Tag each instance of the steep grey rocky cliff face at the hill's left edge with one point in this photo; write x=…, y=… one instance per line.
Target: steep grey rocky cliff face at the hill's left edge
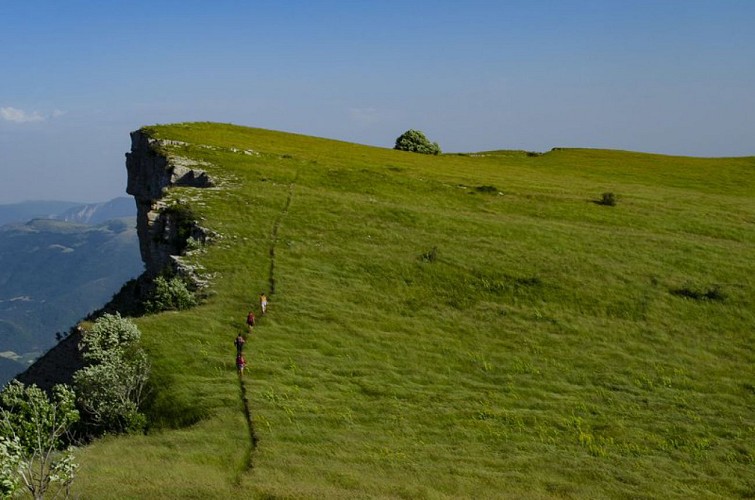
x=163, y=228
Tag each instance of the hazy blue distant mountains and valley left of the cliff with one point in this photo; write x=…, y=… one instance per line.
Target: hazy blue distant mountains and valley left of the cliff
x=58, y=262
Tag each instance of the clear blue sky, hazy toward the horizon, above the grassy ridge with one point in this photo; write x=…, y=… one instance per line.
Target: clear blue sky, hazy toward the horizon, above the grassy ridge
x=666, y=76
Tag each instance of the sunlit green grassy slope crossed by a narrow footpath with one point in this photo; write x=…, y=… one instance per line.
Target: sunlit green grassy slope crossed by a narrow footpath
x=539, y=355
